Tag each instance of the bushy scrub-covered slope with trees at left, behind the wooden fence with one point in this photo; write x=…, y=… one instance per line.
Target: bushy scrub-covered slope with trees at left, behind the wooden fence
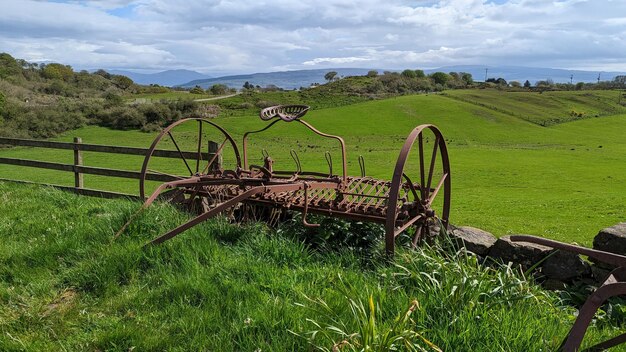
x=43, y=100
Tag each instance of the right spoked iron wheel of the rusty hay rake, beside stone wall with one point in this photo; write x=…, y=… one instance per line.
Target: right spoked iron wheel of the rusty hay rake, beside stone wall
x=419, y=194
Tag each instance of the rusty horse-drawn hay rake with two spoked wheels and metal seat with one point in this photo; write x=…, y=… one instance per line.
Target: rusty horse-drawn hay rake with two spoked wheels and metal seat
x=202, y=184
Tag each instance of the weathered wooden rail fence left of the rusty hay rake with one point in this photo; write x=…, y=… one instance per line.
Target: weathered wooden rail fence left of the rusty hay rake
x=79, y=169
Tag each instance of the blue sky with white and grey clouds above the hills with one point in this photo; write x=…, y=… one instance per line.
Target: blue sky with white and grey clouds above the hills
x=224, y=37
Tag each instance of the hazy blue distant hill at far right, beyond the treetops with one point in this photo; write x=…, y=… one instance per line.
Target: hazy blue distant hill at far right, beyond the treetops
x=532, y=74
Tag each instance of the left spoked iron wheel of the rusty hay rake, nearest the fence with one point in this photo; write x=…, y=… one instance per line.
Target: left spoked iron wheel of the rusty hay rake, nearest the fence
x=188, y=148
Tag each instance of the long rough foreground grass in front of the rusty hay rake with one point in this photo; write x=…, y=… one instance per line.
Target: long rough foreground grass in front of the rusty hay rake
x=65, y=284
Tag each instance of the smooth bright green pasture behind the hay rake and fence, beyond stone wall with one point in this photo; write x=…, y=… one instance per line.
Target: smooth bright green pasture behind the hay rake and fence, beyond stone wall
x=509, y=175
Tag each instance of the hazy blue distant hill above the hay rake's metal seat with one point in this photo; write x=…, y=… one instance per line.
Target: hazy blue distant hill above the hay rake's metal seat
x=285, y=79
